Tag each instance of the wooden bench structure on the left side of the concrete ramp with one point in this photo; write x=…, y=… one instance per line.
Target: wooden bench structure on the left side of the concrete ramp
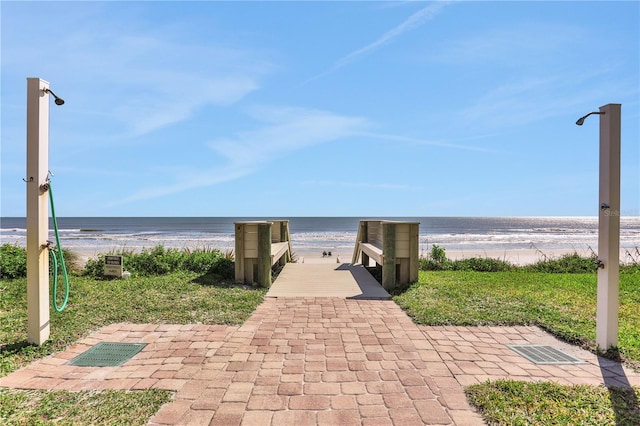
x=259, y=246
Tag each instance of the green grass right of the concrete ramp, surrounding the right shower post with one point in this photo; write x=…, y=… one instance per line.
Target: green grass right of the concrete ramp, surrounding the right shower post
x=563, y=304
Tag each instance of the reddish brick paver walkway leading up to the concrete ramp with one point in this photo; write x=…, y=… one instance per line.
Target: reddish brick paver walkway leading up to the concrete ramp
x=316, y=361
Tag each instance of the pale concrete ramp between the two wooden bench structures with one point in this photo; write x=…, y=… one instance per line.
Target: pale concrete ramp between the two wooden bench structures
x=326, y=280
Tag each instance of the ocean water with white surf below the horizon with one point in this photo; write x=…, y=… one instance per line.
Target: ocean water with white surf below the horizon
x=93, y=235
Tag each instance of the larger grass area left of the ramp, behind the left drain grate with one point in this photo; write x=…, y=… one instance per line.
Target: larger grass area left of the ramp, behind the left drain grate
x=175, y=298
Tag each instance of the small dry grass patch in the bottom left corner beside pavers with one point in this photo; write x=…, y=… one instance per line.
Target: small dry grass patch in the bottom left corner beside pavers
x=20, y=407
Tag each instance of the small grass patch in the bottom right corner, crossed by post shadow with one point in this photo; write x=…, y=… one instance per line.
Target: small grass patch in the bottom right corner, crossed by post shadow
x=506, y=402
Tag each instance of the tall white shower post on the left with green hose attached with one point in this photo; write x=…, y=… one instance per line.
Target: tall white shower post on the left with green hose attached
x=37, y=210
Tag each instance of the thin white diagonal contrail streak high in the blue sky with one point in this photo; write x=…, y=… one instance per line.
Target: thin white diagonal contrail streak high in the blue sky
x=414, y=21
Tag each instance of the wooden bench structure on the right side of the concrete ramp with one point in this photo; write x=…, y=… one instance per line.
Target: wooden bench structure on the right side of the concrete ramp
x=392, y=245
